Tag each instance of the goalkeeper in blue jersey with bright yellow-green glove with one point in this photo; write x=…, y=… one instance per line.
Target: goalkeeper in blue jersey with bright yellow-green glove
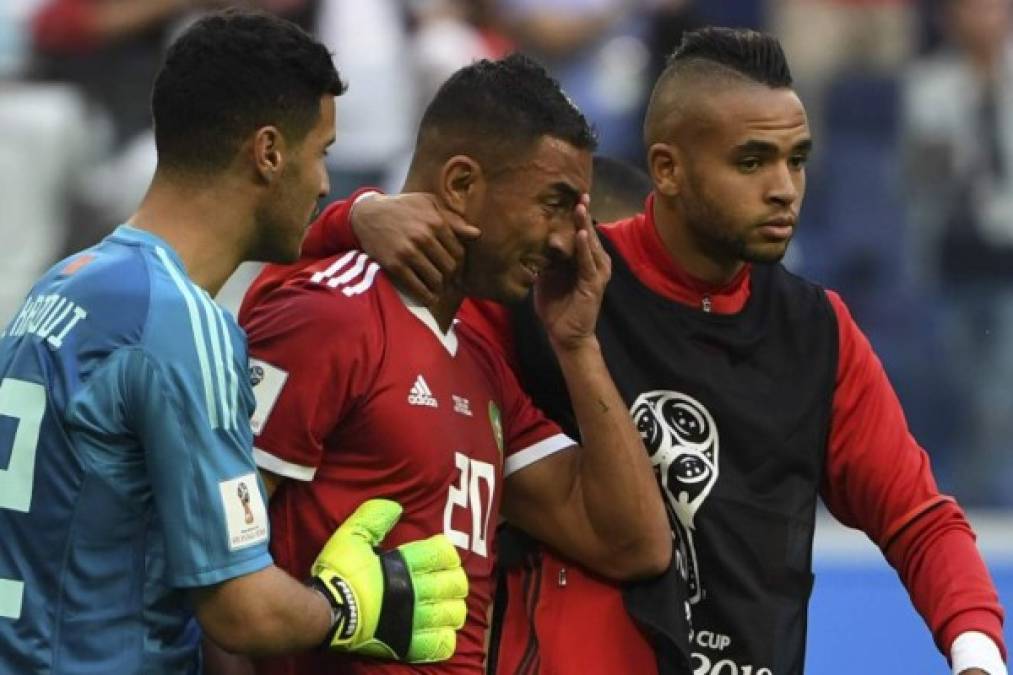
x=130, y=504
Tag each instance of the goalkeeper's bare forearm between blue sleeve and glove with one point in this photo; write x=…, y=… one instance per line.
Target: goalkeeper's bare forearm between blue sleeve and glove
x=264, y=613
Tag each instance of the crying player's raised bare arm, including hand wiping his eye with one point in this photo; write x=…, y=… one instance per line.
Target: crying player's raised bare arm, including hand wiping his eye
x=598, y=504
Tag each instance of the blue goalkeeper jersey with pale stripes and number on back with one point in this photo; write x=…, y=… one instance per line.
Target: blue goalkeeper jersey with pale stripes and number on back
x=126, y=468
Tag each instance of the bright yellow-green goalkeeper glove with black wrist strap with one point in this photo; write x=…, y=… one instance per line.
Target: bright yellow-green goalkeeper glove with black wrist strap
x=404, y=605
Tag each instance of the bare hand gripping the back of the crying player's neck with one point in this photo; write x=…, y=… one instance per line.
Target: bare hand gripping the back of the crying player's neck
x=414, y=239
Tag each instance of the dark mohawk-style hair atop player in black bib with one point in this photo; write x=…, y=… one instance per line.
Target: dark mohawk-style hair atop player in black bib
x=756, y=56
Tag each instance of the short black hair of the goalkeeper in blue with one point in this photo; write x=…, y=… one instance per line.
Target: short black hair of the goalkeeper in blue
x=231, y=73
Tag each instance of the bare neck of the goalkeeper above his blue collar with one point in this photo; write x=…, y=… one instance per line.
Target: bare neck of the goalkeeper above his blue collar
x=206, y=226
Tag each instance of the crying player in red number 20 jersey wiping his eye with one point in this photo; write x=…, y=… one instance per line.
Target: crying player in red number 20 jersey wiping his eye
x=364, y=393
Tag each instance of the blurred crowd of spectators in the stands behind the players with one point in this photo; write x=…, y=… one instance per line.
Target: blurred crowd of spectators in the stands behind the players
x=909, y=212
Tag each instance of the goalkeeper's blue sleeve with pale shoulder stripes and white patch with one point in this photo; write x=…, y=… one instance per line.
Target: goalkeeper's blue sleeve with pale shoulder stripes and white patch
x=191, y=403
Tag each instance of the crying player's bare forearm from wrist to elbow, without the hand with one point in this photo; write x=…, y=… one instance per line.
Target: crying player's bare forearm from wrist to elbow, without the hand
x=614, y=477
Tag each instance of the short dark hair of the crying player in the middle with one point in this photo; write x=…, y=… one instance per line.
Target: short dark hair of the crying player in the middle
x=509, y=104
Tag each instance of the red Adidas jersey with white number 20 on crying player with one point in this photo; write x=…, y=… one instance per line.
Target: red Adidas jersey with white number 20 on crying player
x=360, y=395
